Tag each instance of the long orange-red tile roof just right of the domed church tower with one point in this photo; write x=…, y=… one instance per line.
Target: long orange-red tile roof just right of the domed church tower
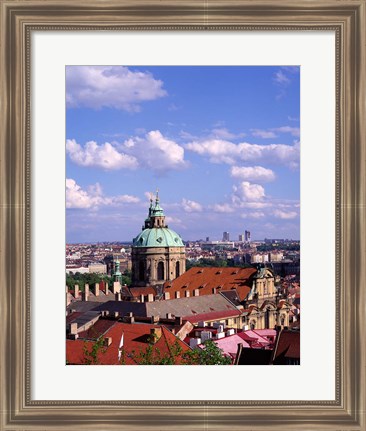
x=208, y=278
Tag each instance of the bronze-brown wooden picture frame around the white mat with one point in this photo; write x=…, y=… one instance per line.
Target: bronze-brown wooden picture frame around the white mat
x=18, y=19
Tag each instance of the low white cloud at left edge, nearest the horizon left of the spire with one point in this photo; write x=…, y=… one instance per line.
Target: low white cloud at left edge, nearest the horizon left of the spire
x=76, y=197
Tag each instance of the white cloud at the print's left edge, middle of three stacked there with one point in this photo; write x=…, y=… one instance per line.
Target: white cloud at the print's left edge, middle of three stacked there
x=104, y=156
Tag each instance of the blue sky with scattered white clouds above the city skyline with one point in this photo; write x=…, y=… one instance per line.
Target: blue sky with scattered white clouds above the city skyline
x=222, y=145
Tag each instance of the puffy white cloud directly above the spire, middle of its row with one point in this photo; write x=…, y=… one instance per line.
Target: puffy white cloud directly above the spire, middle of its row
x=156, y=152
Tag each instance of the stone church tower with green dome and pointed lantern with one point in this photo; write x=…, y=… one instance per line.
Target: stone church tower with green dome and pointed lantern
x=158, y=253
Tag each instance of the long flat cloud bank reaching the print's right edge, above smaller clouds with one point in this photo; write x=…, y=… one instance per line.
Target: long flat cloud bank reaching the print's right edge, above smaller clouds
x=222, y=151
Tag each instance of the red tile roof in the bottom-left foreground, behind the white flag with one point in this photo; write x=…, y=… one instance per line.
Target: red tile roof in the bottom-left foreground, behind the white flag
x=135, y=339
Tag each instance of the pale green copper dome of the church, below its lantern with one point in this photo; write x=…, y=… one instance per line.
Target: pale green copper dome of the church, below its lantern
x=158, y=237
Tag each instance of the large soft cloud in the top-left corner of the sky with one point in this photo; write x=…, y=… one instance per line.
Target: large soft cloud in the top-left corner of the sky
x=110, y=86
